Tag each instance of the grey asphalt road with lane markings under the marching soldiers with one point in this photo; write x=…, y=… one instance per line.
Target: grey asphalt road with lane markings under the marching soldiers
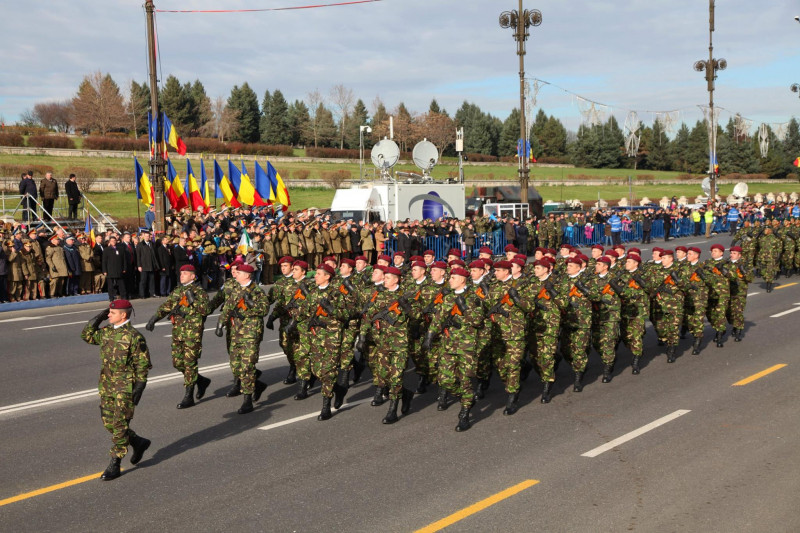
x=731, y=463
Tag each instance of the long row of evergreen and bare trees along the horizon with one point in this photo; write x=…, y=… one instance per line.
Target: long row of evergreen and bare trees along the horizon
x=334, y=119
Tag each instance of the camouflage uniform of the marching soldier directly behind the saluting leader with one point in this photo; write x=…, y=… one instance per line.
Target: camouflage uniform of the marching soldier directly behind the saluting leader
x=188, y=320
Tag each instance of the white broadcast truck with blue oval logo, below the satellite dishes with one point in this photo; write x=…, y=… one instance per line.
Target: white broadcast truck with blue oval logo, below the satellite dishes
x=399, y=201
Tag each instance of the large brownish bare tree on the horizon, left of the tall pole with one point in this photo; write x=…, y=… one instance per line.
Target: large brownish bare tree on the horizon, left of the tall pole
x=99, y=104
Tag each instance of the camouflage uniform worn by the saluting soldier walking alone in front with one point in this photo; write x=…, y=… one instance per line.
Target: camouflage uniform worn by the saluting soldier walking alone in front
x=126, y=362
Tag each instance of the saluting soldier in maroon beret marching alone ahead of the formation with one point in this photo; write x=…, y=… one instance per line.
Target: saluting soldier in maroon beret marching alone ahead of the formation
x=123, y=377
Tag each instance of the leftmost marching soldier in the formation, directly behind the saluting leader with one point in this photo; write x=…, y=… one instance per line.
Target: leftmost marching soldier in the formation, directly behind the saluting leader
x=187, y=308
